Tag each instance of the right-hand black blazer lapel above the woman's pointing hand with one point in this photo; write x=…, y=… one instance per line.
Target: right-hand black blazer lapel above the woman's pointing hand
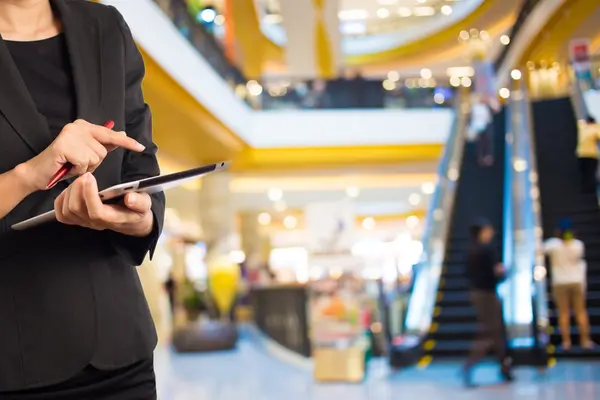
x=84, y=46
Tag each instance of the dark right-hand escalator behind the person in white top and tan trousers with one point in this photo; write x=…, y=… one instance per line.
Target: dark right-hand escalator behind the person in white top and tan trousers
x=555, y=143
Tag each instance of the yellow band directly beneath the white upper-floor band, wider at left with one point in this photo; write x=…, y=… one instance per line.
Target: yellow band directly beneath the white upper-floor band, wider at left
x=189, y=133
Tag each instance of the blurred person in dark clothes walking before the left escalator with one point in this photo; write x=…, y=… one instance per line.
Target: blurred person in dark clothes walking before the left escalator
x=484, y=272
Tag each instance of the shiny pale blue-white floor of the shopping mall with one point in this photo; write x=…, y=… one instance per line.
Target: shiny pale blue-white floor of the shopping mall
x=248, y=373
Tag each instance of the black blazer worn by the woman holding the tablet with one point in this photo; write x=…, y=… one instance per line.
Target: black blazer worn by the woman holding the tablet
x=71, y=297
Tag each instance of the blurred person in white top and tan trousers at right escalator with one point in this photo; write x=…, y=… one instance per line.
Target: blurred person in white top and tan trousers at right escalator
x=568, y=269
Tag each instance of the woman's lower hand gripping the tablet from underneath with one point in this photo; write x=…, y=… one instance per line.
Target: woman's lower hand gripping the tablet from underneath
x=80, y=205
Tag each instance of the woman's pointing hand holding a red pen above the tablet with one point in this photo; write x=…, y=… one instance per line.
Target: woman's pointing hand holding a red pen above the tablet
x=80, y=143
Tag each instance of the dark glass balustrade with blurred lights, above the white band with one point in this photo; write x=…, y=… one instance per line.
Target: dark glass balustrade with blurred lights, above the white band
x=288, y=93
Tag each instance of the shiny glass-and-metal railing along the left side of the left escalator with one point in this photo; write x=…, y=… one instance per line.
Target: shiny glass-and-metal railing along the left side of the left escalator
x=427, y=274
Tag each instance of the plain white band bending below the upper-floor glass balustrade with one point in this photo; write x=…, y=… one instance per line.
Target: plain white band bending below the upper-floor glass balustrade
x=160, y=39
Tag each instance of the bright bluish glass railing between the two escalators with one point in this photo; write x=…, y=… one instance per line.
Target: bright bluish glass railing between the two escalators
x=526, y=306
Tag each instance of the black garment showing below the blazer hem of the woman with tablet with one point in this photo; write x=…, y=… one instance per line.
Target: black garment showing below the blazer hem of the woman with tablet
x=136, y=382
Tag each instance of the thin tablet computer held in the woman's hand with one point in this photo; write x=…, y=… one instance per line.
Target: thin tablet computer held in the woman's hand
x=152, y=185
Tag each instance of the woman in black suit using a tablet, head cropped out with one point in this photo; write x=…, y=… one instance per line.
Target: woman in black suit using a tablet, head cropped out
x=73, y=317
